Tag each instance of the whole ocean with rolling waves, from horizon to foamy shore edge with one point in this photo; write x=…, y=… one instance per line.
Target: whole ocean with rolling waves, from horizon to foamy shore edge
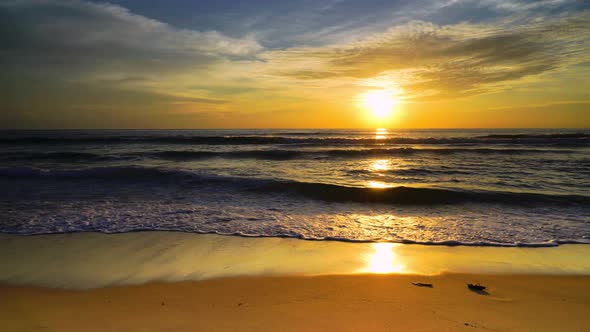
x=517, y=187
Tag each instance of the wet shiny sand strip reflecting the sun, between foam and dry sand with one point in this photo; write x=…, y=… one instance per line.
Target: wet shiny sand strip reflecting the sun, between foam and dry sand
x=93, y=260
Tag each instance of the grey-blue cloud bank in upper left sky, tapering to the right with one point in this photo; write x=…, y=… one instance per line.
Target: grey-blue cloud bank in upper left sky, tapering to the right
x=74, y=40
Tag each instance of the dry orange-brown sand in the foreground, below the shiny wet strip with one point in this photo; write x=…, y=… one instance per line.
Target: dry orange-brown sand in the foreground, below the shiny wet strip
x=321, y=303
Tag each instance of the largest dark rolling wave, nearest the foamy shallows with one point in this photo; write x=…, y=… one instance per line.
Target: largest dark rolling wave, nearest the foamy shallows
x=318, y=191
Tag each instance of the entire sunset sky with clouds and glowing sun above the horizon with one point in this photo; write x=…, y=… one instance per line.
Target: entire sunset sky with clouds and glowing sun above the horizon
x=294, y=64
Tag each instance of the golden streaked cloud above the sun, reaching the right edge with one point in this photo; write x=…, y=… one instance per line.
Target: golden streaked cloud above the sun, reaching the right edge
x=429, y=61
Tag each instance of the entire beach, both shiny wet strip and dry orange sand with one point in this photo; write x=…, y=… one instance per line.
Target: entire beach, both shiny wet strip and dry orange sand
x=297, y=286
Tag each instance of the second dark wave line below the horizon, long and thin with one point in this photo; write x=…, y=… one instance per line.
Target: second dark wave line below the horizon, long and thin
x=274, y=154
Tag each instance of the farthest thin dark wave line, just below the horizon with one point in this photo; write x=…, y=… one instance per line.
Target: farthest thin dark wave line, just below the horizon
x=580, y=139
